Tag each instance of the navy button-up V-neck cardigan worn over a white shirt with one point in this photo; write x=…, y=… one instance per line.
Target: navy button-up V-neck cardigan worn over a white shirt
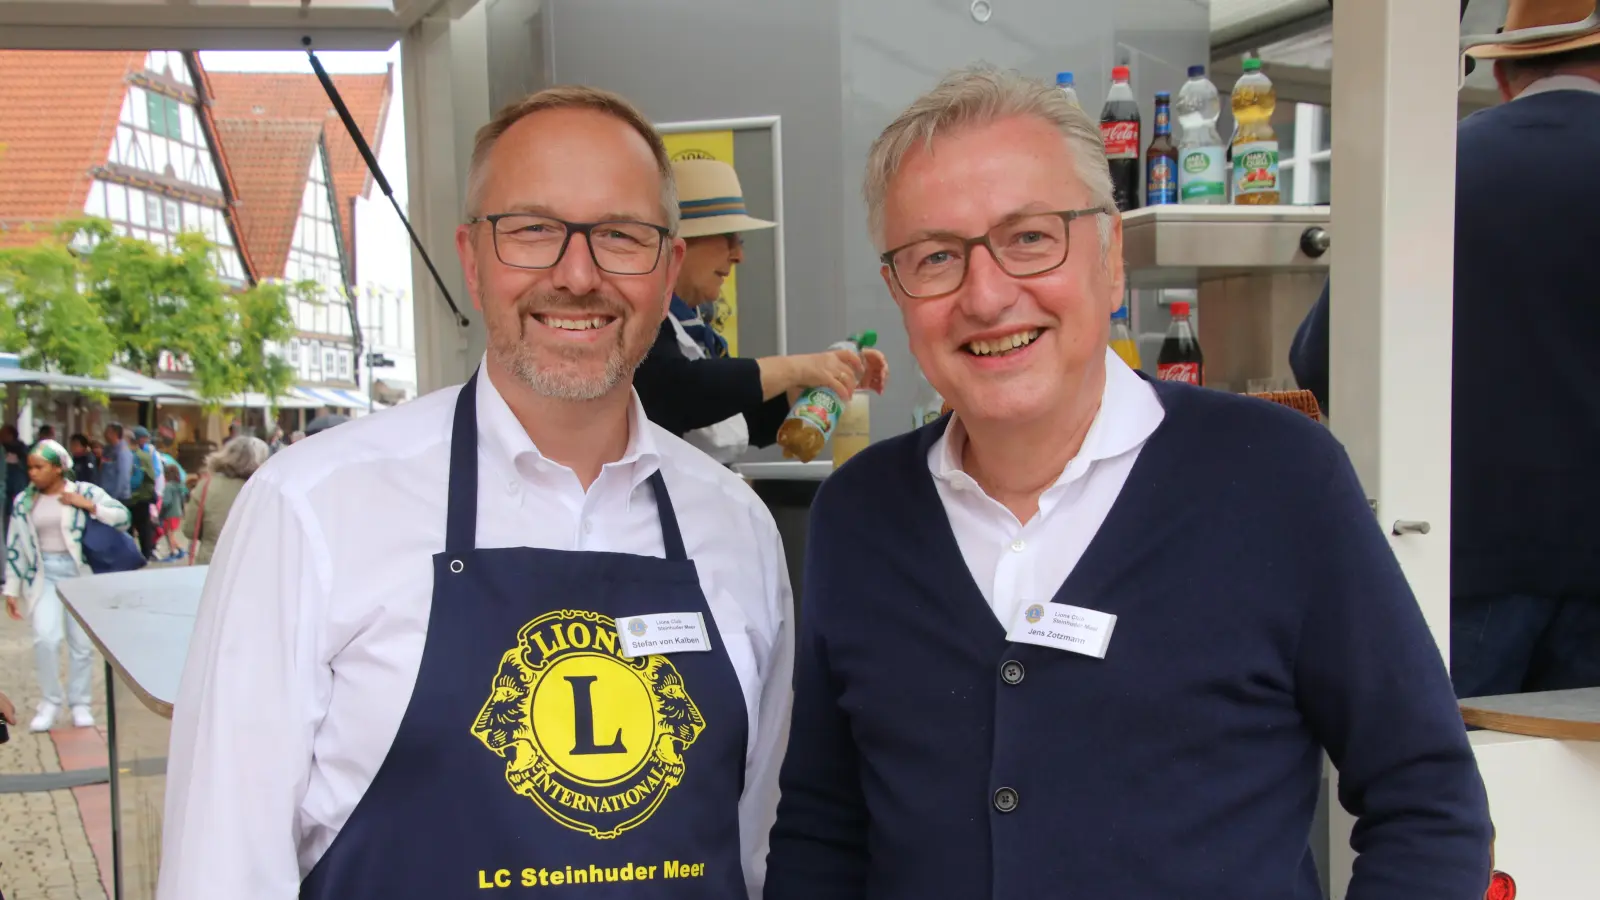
x=1262, y=621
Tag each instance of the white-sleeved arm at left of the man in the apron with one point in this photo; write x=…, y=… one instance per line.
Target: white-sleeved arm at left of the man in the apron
x=252, y=694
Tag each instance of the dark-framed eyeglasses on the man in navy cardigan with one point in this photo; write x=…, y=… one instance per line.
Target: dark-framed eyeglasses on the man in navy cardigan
x=1023, y=247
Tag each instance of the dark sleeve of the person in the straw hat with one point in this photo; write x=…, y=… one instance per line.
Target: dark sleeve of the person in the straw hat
x=682, y=395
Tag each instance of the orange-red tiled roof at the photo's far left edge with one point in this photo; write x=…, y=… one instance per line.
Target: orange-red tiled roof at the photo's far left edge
x=58, y=118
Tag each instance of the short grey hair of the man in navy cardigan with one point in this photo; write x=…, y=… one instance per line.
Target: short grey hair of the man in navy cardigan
x=980, y=95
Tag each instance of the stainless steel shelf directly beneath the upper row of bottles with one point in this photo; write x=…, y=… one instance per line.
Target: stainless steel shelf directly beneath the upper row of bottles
x=1183, y=246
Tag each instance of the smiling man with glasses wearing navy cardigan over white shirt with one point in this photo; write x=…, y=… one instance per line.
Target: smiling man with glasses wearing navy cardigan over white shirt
x=1090, y=635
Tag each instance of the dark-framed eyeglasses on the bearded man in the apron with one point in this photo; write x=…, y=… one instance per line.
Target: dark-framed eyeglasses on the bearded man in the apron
x=623, y=247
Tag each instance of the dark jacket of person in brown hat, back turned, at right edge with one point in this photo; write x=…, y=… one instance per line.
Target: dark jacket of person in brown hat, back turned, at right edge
x=1526, y=417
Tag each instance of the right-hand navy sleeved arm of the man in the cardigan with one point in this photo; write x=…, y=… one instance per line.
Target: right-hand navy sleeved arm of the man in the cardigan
x=1374, y=689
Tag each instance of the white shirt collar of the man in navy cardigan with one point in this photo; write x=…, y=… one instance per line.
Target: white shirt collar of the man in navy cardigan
x=1127, y=417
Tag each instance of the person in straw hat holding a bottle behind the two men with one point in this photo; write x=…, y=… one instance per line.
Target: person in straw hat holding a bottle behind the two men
x=689, y=384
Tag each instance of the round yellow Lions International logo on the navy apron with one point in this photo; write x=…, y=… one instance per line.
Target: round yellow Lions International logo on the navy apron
x=590, y=736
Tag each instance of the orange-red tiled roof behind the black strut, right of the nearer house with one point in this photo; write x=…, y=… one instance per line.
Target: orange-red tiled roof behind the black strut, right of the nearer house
x=289, y=97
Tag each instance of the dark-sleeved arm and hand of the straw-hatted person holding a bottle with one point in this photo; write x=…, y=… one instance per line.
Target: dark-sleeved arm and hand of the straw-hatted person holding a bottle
x=682, y=395
